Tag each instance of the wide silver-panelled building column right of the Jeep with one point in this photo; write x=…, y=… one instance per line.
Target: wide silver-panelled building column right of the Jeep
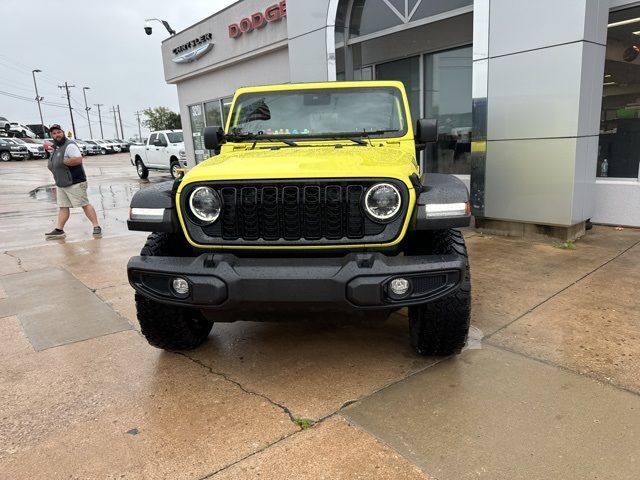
x=538, y=72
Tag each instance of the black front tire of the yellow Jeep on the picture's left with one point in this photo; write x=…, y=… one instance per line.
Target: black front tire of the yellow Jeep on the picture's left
x=166, y=326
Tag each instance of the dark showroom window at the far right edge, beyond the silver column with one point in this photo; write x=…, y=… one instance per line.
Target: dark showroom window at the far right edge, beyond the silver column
x=619, y=149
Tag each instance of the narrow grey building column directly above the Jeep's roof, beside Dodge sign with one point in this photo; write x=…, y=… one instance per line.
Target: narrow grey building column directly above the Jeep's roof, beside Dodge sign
x=311, y=32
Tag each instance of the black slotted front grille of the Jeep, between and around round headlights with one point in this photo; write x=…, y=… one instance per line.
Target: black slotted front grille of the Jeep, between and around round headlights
x=296, y=212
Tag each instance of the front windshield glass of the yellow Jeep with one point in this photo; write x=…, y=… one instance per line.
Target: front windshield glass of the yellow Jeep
x=326, y=112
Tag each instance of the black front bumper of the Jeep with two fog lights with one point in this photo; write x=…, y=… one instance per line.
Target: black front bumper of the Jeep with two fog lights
x=356, y=281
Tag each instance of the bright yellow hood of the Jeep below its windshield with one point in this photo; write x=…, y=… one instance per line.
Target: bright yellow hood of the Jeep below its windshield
x=307, y=162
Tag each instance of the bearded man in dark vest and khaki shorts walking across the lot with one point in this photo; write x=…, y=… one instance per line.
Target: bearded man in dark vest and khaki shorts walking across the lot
x=65, y=163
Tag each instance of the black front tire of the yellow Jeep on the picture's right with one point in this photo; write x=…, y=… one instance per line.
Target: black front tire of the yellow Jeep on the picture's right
x=441, y=327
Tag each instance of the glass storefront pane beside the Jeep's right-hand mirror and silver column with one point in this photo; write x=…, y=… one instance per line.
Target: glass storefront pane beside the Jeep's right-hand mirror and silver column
x=447, y=97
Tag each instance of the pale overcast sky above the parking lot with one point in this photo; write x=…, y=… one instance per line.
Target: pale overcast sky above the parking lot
x=89, y=43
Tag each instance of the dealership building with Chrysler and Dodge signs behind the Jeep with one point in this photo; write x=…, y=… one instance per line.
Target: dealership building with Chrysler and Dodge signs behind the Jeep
x=538, y=103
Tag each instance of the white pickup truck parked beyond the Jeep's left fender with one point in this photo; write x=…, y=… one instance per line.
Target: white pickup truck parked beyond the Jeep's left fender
x=163, y=151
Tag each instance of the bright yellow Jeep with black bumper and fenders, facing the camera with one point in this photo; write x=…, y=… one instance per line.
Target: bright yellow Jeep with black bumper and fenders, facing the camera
x=314, y=203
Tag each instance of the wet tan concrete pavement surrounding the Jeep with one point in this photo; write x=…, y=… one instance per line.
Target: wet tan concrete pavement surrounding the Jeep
x=549, y=388
